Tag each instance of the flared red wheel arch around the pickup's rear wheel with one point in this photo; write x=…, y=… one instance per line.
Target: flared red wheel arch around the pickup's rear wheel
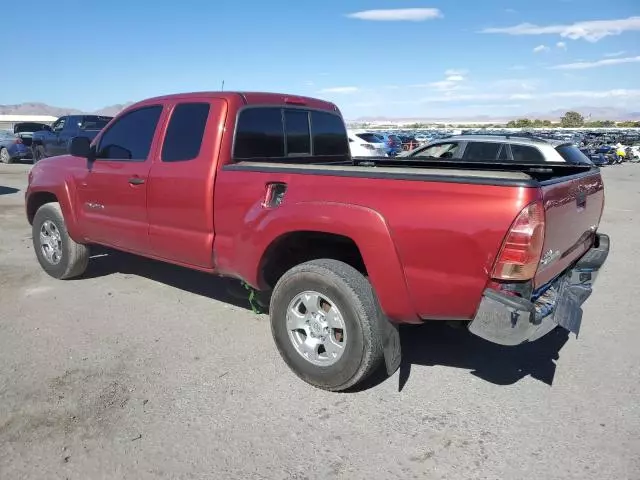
x=357, y=235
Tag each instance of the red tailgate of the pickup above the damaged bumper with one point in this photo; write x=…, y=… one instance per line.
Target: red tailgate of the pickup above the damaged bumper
x=573, y=207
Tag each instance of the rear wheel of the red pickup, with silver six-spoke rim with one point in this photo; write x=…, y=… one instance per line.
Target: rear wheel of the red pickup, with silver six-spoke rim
x=346, y=289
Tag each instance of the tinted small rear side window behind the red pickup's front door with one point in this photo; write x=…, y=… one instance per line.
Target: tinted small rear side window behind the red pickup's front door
x=183, y=139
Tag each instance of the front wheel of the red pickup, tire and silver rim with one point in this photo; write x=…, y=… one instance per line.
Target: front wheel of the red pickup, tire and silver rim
x=72, y=258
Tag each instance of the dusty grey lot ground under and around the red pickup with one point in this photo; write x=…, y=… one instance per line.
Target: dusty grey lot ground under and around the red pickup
x=143, y=370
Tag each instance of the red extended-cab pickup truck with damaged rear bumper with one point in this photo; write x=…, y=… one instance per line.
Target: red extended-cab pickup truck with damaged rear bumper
x=261, y=187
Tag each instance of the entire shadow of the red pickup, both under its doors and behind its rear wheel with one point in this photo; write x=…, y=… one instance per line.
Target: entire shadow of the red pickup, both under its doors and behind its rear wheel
x=431, y=344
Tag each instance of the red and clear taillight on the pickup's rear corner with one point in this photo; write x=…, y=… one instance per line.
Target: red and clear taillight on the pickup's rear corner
x=522, y=247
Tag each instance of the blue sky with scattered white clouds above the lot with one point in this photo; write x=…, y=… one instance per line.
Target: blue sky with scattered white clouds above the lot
x=387, y=58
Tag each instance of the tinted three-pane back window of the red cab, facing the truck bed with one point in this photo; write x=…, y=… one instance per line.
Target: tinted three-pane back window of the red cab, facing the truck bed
x=295, y=135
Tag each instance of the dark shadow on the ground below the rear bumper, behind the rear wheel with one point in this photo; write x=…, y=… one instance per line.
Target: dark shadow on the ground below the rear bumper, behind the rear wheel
x=436, y=343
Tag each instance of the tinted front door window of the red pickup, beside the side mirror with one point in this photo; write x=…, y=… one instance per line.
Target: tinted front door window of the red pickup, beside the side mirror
x=129, y=138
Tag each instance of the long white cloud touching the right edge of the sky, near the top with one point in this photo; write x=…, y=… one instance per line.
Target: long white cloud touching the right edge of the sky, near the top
x=592, y=31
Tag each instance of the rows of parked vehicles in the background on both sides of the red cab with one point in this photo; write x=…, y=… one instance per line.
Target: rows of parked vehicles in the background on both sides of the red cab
x=32, y=140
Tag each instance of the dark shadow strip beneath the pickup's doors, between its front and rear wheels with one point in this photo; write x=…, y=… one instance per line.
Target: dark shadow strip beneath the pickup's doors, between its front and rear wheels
x=106, y=262
